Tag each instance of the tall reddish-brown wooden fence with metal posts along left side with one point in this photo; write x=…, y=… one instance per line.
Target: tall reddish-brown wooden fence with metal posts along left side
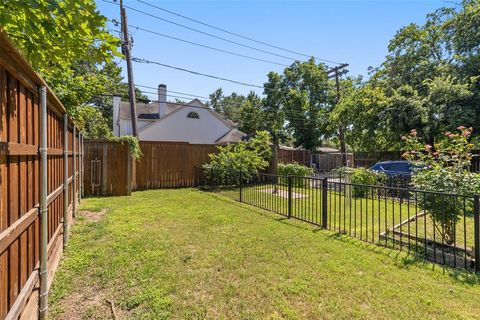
x=40, y=179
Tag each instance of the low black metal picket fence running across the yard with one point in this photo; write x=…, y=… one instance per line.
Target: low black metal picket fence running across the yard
x=438, y=227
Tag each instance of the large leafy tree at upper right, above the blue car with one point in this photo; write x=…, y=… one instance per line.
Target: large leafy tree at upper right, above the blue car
x=428, y=82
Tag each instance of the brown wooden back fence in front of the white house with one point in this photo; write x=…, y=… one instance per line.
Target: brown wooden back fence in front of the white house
x=109, y=169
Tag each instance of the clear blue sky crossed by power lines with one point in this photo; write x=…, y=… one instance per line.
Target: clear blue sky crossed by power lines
x=356, y=32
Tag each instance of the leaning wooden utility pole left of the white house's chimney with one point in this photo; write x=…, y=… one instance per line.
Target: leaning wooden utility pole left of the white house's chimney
x=126, y=48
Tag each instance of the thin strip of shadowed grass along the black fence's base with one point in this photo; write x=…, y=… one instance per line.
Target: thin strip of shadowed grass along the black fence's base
x=404, y=259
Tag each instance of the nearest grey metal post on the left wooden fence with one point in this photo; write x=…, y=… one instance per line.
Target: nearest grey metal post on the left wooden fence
x=43, y=299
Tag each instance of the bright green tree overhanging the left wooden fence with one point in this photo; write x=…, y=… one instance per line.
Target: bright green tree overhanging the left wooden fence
x=66, y=41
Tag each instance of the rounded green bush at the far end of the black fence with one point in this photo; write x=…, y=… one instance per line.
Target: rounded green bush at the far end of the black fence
x=247, y=157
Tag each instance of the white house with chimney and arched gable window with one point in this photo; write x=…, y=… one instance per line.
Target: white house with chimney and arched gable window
x=167, y=121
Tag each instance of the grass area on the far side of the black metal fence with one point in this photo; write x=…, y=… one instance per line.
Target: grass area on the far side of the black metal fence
x=364, y=218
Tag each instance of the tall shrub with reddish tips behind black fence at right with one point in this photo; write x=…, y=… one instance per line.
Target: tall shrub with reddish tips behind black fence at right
x=444, y=167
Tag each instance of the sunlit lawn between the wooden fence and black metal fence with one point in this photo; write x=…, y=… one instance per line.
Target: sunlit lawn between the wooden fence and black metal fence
x=187, y=254
